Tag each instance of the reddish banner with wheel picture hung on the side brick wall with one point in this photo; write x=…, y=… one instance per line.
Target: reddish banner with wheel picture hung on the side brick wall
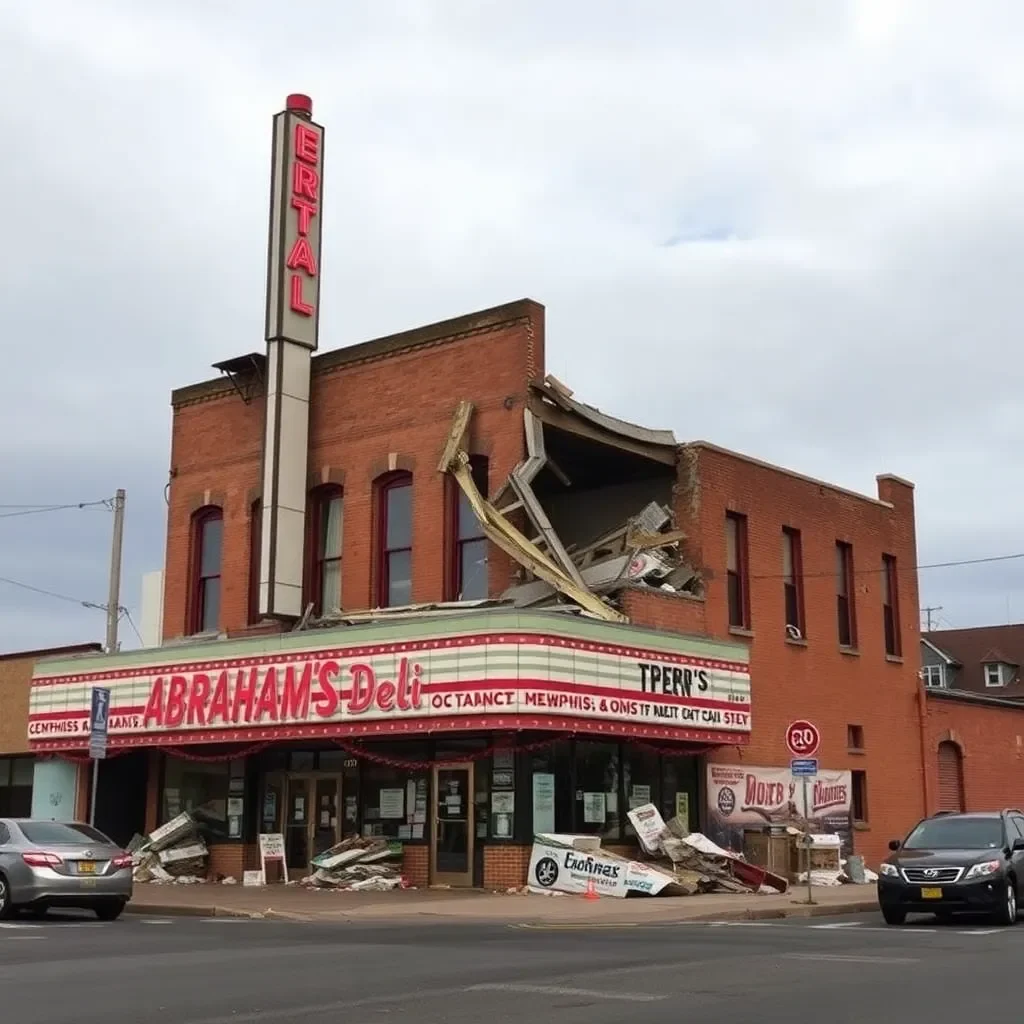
x=742, y=797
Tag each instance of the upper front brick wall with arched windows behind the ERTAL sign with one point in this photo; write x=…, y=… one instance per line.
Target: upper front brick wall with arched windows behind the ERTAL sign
x=387, y=404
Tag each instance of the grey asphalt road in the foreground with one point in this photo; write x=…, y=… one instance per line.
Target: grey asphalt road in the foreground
x=188, y=971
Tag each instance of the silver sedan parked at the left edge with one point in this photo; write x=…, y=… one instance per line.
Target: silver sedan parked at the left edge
x=48, y=865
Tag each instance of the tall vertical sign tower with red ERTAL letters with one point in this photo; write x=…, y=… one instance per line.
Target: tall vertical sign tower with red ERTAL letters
x=293, y=293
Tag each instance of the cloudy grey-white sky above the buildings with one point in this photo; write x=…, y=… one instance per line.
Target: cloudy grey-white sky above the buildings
x=809, y=217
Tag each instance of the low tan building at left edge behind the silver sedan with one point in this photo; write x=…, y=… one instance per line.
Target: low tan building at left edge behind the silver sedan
x=41, y=787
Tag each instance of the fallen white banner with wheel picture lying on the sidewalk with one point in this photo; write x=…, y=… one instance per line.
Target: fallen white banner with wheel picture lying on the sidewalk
x=557, y=867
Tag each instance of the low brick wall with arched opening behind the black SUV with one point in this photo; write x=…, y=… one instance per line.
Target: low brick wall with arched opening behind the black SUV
x=992, y=742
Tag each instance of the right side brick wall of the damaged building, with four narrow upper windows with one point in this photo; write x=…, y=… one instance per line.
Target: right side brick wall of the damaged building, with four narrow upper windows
x=814, y=678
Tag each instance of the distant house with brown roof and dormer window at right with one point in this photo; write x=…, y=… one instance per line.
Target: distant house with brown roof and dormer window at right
x=985, y=660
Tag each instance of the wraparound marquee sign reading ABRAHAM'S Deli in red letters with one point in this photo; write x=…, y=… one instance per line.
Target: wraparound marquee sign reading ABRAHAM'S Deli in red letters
x=452, y=678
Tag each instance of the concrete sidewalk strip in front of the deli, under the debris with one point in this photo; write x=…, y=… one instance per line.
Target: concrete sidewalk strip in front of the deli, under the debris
x=295, y=904
